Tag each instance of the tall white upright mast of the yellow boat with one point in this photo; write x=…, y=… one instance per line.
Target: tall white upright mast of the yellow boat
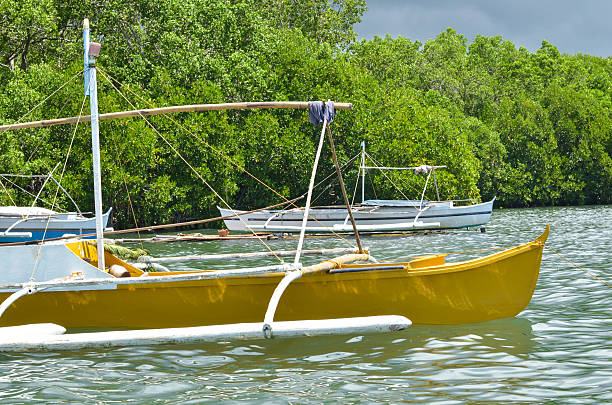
x=90, y=52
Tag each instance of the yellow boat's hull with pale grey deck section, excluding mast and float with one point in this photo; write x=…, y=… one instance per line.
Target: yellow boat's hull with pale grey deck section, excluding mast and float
x=426, y=290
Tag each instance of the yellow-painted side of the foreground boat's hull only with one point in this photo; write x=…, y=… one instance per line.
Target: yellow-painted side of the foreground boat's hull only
x=426, y=291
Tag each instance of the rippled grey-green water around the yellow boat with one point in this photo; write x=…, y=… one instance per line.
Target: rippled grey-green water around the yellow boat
x=559, y=350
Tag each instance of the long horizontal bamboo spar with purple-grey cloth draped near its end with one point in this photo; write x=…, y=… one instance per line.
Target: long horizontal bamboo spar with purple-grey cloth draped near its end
x=303, y=105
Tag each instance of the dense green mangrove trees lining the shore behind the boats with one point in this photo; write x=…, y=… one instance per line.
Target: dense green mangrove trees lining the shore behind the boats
x=532, y=128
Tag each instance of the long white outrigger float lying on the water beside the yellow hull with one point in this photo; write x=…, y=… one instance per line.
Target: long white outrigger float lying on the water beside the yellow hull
x=241, y=331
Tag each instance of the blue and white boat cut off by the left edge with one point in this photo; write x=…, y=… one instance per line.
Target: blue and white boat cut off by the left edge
x=33, y=223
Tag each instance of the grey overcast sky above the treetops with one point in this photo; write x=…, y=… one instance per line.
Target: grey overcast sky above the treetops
x=573, y=26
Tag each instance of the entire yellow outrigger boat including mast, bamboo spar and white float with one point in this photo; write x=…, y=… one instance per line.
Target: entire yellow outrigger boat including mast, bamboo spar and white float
x=48, y=287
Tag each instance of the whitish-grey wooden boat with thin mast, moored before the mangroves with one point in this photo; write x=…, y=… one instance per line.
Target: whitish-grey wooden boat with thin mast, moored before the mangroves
x=370, y=215
